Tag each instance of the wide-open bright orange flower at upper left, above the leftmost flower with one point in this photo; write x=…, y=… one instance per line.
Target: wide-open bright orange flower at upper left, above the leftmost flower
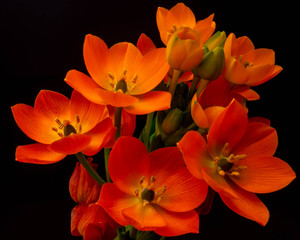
x=122, y=76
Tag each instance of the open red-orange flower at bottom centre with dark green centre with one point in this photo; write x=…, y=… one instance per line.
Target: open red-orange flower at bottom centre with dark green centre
x=151, y=191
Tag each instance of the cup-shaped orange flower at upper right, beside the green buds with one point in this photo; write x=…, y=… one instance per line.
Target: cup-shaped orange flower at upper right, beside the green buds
x=247, y=65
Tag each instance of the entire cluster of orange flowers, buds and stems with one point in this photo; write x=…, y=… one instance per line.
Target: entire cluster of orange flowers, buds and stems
x=197, y=139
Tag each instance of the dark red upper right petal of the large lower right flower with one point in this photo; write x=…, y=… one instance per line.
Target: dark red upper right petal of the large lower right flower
x=259, y=139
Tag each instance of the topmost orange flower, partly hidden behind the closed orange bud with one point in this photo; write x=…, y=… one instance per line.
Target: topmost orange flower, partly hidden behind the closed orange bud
x=168, y=21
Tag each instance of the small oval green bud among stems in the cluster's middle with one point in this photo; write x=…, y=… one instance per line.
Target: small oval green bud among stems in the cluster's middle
x=172, y=121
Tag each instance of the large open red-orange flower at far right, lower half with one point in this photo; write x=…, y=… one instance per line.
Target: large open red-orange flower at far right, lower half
x=237, y=161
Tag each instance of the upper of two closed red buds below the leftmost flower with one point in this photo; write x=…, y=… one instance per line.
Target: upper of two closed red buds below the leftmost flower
x=83, y=188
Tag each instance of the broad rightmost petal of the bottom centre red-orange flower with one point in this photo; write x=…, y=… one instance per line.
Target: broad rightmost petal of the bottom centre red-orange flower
x=183, y=192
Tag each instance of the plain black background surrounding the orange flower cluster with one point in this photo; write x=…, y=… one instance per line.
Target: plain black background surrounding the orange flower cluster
x=42, y=40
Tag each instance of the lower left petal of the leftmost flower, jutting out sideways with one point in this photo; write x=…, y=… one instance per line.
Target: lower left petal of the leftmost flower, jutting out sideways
x=37, y=153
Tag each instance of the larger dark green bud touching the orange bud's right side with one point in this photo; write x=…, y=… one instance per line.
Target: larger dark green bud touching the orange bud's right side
x=212, y=64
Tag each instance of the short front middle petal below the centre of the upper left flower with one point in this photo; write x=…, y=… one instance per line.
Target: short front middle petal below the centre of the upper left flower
x=116, y=99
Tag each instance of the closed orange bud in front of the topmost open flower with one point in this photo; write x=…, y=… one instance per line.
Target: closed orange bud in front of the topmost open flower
x=184, y=49
